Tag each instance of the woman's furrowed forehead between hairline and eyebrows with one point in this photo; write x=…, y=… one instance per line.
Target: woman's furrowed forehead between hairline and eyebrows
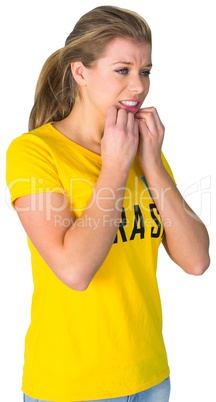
x=127, y=49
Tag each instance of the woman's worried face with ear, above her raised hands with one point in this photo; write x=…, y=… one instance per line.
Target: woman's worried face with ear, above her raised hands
x=119, y=78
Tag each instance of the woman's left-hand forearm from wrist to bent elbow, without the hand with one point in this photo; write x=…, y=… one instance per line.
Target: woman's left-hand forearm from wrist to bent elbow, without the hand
x=88, y=240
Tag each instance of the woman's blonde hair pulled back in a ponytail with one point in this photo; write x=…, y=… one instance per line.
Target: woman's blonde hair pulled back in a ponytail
x=56, y=90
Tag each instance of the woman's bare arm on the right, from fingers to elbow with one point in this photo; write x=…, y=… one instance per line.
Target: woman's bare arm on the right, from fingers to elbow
x=186, y=239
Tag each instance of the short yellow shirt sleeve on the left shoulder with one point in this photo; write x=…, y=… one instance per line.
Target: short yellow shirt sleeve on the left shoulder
x=30, y=167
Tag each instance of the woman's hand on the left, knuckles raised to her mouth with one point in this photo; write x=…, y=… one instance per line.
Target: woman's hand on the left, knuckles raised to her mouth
x=120, y=140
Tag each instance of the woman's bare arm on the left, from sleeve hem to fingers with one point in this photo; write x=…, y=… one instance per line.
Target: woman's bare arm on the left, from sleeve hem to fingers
x=81, y=247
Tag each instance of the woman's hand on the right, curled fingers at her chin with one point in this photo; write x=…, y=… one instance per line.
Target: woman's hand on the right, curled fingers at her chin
x=151, y=134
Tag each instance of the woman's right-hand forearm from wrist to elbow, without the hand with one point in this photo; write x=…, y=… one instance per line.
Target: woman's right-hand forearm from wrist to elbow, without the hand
x=186, y=239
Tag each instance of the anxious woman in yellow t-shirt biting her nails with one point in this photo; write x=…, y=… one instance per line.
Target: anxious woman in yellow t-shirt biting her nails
x=96, y=198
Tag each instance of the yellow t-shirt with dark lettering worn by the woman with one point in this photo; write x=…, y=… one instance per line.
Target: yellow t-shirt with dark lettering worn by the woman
x=106, y=341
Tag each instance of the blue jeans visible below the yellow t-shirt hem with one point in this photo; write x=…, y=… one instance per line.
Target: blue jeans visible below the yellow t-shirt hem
x=159, y=393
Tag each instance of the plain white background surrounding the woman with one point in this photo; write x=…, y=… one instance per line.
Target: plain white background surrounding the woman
x=183, y=90
